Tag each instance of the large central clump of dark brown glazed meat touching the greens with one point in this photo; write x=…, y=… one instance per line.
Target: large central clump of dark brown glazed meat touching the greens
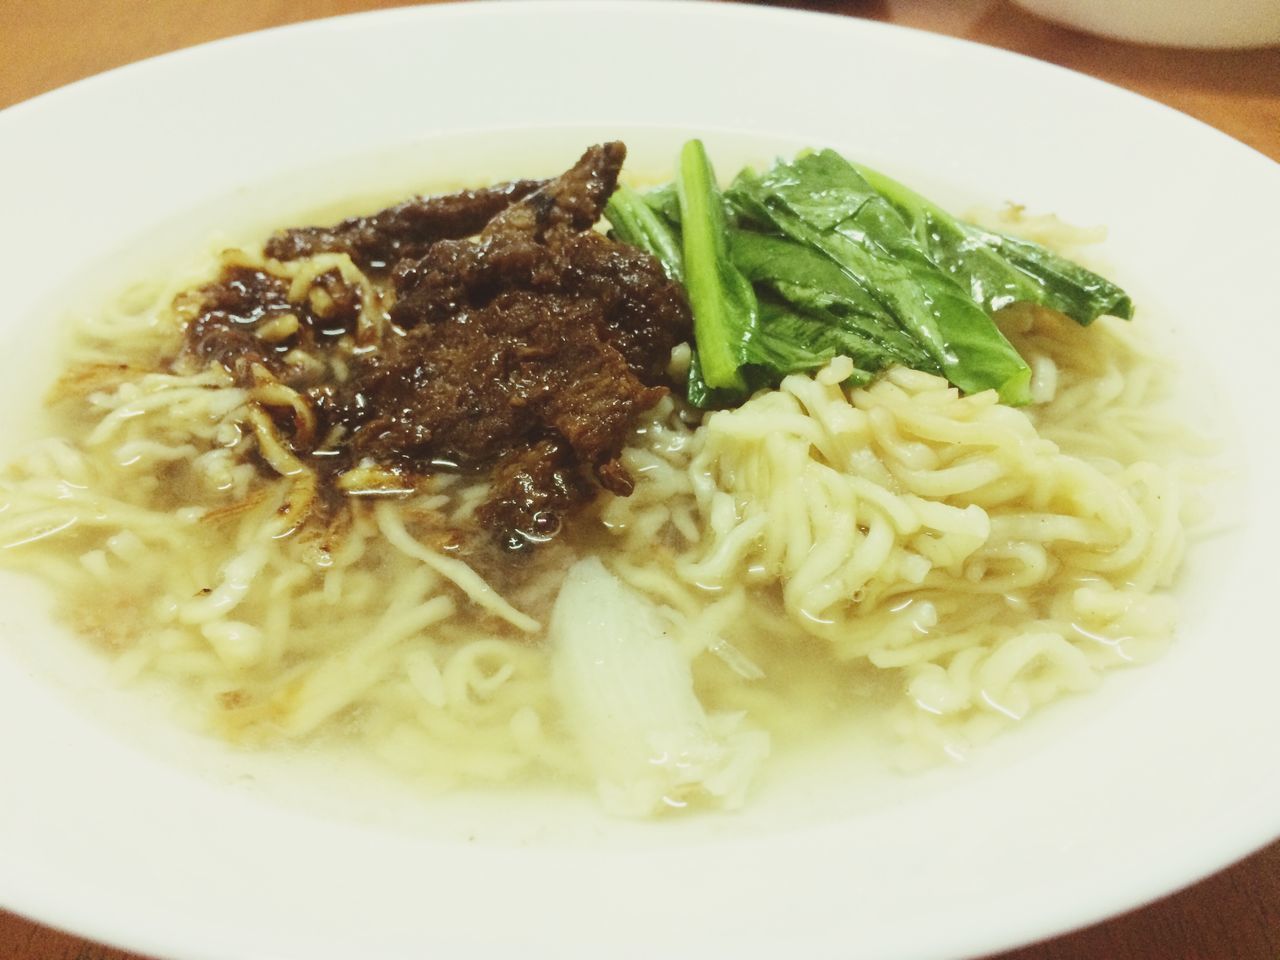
x=540, y=340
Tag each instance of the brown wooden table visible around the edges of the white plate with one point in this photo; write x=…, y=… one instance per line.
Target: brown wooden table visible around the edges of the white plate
x=1235, y=916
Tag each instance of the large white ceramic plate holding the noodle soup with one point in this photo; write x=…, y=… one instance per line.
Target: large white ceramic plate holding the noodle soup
x=1098, y=806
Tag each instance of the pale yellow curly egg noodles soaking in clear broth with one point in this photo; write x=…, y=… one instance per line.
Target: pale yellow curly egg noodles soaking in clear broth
x=953, y=560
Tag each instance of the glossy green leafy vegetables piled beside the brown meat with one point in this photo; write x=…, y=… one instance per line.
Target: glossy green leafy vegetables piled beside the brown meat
x=820, y=258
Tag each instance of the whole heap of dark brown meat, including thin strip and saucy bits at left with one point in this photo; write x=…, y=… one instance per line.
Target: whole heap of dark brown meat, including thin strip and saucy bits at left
x=523, y=354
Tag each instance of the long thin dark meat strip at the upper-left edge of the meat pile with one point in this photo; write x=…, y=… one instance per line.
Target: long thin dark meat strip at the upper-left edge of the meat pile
x=403, y=231
